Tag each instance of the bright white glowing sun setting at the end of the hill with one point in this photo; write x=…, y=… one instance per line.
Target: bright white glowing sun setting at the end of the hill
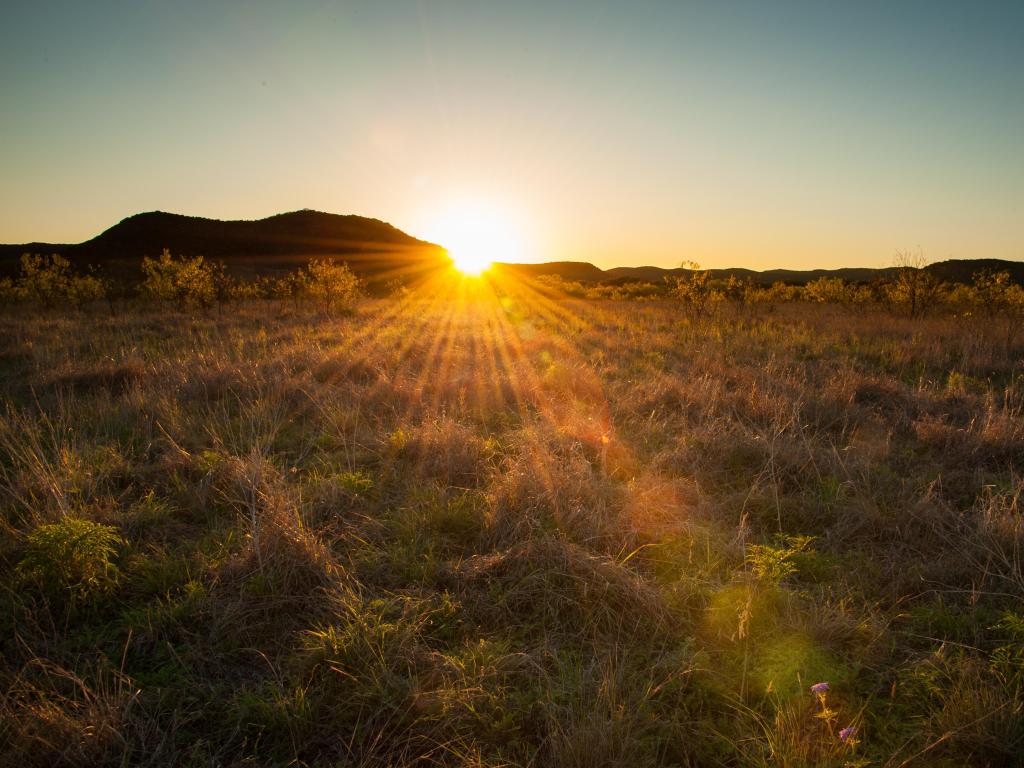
x=477, y=235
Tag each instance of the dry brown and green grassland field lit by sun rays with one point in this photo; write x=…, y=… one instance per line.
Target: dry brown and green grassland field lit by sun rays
x=511, y=529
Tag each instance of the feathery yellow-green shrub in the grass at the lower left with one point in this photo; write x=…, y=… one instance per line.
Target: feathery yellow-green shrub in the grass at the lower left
x=73, y=559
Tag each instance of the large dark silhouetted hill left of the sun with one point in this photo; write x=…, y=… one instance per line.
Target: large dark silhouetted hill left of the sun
x=371, y=247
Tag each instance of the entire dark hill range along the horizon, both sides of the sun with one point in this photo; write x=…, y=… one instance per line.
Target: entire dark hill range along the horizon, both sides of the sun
x=378, y=251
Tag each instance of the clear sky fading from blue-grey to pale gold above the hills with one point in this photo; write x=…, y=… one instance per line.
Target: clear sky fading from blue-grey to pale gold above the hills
x=783, y=135
